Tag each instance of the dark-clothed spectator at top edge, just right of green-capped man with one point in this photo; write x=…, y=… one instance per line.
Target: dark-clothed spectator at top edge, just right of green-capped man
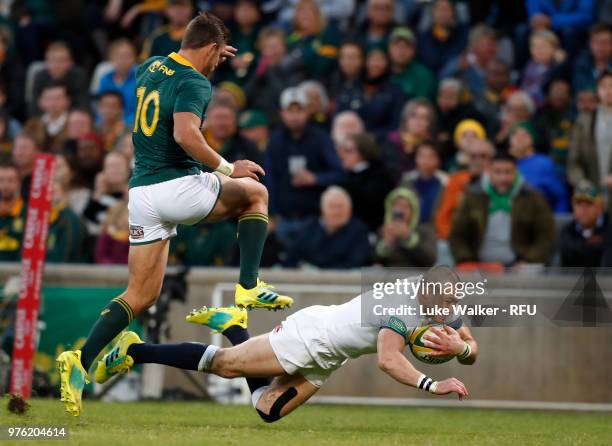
x=444, y=39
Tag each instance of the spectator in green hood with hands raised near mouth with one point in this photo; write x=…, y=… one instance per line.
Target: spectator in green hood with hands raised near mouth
x=403, y=241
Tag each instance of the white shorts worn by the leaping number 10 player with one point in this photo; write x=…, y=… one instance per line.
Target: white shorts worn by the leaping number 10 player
x=155, y=210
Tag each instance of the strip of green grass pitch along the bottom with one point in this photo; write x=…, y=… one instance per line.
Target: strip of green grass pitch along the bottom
x=195, y=423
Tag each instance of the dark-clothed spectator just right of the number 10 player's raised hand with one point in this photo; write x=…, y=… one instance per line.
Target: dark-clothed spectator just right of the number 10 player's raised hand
x=274, y=73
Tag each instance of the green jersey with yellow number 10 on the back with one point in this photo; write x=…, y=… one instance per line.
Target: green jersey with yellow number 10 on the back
x=164, y=86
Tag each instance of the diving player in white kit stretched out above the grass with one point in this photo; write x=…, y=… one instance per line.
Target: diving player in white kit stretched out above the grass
x=301, y=353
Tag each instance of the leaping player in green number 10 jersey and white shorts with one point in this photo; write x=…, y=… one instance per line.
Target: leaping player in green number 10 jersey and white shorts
x=168, y=187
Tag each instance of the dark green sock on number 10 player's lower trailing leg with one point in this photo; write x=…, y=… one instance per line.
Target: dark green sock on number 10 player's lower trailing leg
x=113, y=319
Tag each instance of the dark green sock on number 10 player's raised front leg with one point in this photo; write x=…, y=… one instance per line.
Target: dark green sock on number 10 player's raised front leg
x=252, y=233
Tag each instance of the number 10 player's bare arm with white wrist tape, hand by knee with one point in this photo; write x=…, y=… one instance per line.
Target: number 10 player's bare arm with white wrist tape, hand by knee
x=188, y=135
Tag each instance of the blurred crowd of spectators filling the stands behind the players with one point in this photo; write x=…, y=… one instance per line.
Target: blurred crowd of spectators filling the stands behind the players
x=393, y=132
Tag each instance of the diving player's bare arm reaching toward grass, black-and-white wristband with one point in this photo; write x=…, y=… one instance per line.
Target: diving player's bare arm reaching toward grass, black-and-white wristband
x=392, y=361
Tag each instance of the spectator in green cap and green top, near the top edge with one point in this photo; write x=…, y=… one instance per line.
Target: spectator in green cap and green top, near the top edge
x=413, y=77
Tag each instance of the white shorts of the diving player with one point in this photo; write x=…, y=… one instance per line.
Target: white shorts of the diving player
x=301, y=346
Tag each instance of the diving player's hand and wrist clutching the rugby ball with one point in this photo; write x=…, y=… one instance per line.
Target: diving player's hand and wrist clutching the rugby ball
x=448, y=341
